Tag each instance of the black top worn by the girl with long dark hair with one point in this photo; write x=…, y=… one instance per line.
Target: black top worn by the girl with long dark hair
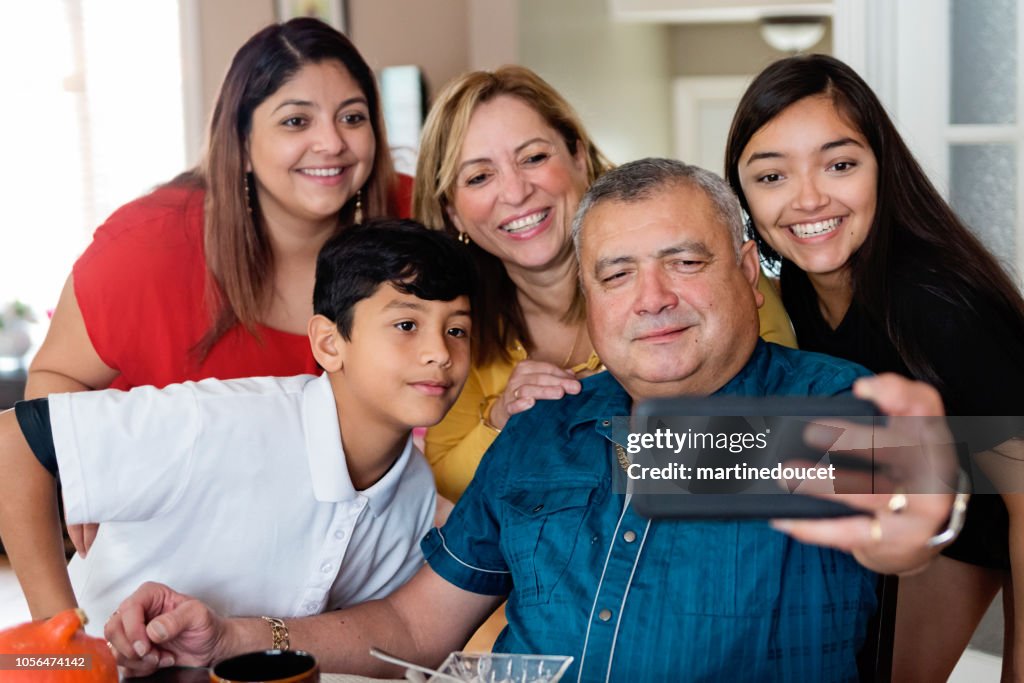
x=978, y=360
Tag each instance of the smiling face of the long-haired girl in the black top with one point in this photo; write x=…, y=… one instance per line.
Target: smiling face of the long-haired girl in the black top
x=810, y=181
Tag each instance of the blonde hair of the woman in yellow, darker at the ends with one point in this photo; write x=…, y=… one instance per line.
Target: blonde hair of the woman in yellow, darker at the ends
x=500, y=320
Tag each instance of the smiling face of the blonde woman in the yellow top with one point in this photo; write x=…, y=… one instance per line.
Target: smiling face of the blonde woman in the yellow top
x=518, y=186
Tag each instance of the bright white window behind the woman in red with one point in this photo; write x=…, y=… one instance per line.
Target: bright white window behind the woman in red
x=93, y=118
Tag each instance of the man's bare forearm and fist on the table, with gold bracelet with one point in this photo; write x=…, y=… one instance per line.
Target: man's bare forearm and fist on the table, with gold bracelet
x=422, y=622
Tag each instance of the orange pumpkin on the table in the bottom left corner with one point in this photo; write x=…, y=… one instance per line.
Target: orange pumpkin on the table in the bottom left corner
x=60, y=637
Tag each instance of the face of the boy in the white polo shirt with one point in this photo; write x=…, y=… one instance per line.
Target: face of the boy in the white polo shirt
x=405, y=362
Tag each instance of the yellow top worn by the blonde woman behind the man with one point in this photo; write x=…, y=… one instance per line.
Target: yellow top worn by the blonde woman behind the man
x=456, y=446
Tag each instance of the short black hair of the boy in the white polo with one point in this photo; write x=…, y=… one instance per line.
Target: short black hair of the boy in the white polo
x=429, y=265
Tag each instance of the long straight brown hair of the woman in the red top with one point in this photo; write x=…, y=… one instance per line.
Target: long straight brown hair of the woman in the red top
x=238, y=252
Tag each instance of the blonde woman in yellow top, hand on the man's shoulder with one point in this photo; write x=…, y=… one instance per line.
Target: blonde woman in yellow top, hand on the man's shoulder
x=504, y=161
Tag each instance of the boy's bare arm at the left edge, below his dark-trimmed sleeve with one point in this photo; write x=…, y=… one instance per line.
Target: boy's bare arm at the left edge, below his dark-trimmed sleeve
x=30, y=524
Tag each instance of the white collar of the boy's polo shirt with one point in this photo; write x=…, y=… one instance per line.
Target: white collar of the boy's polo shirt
x=328, y=467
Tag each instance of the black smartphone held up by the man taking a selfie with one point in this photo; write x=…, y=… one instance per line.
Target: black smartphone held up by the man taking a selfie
x=723, y=457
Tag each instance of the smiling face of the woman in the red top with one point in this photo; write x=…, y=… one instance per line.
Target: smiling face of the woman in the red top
x=312, y=147
